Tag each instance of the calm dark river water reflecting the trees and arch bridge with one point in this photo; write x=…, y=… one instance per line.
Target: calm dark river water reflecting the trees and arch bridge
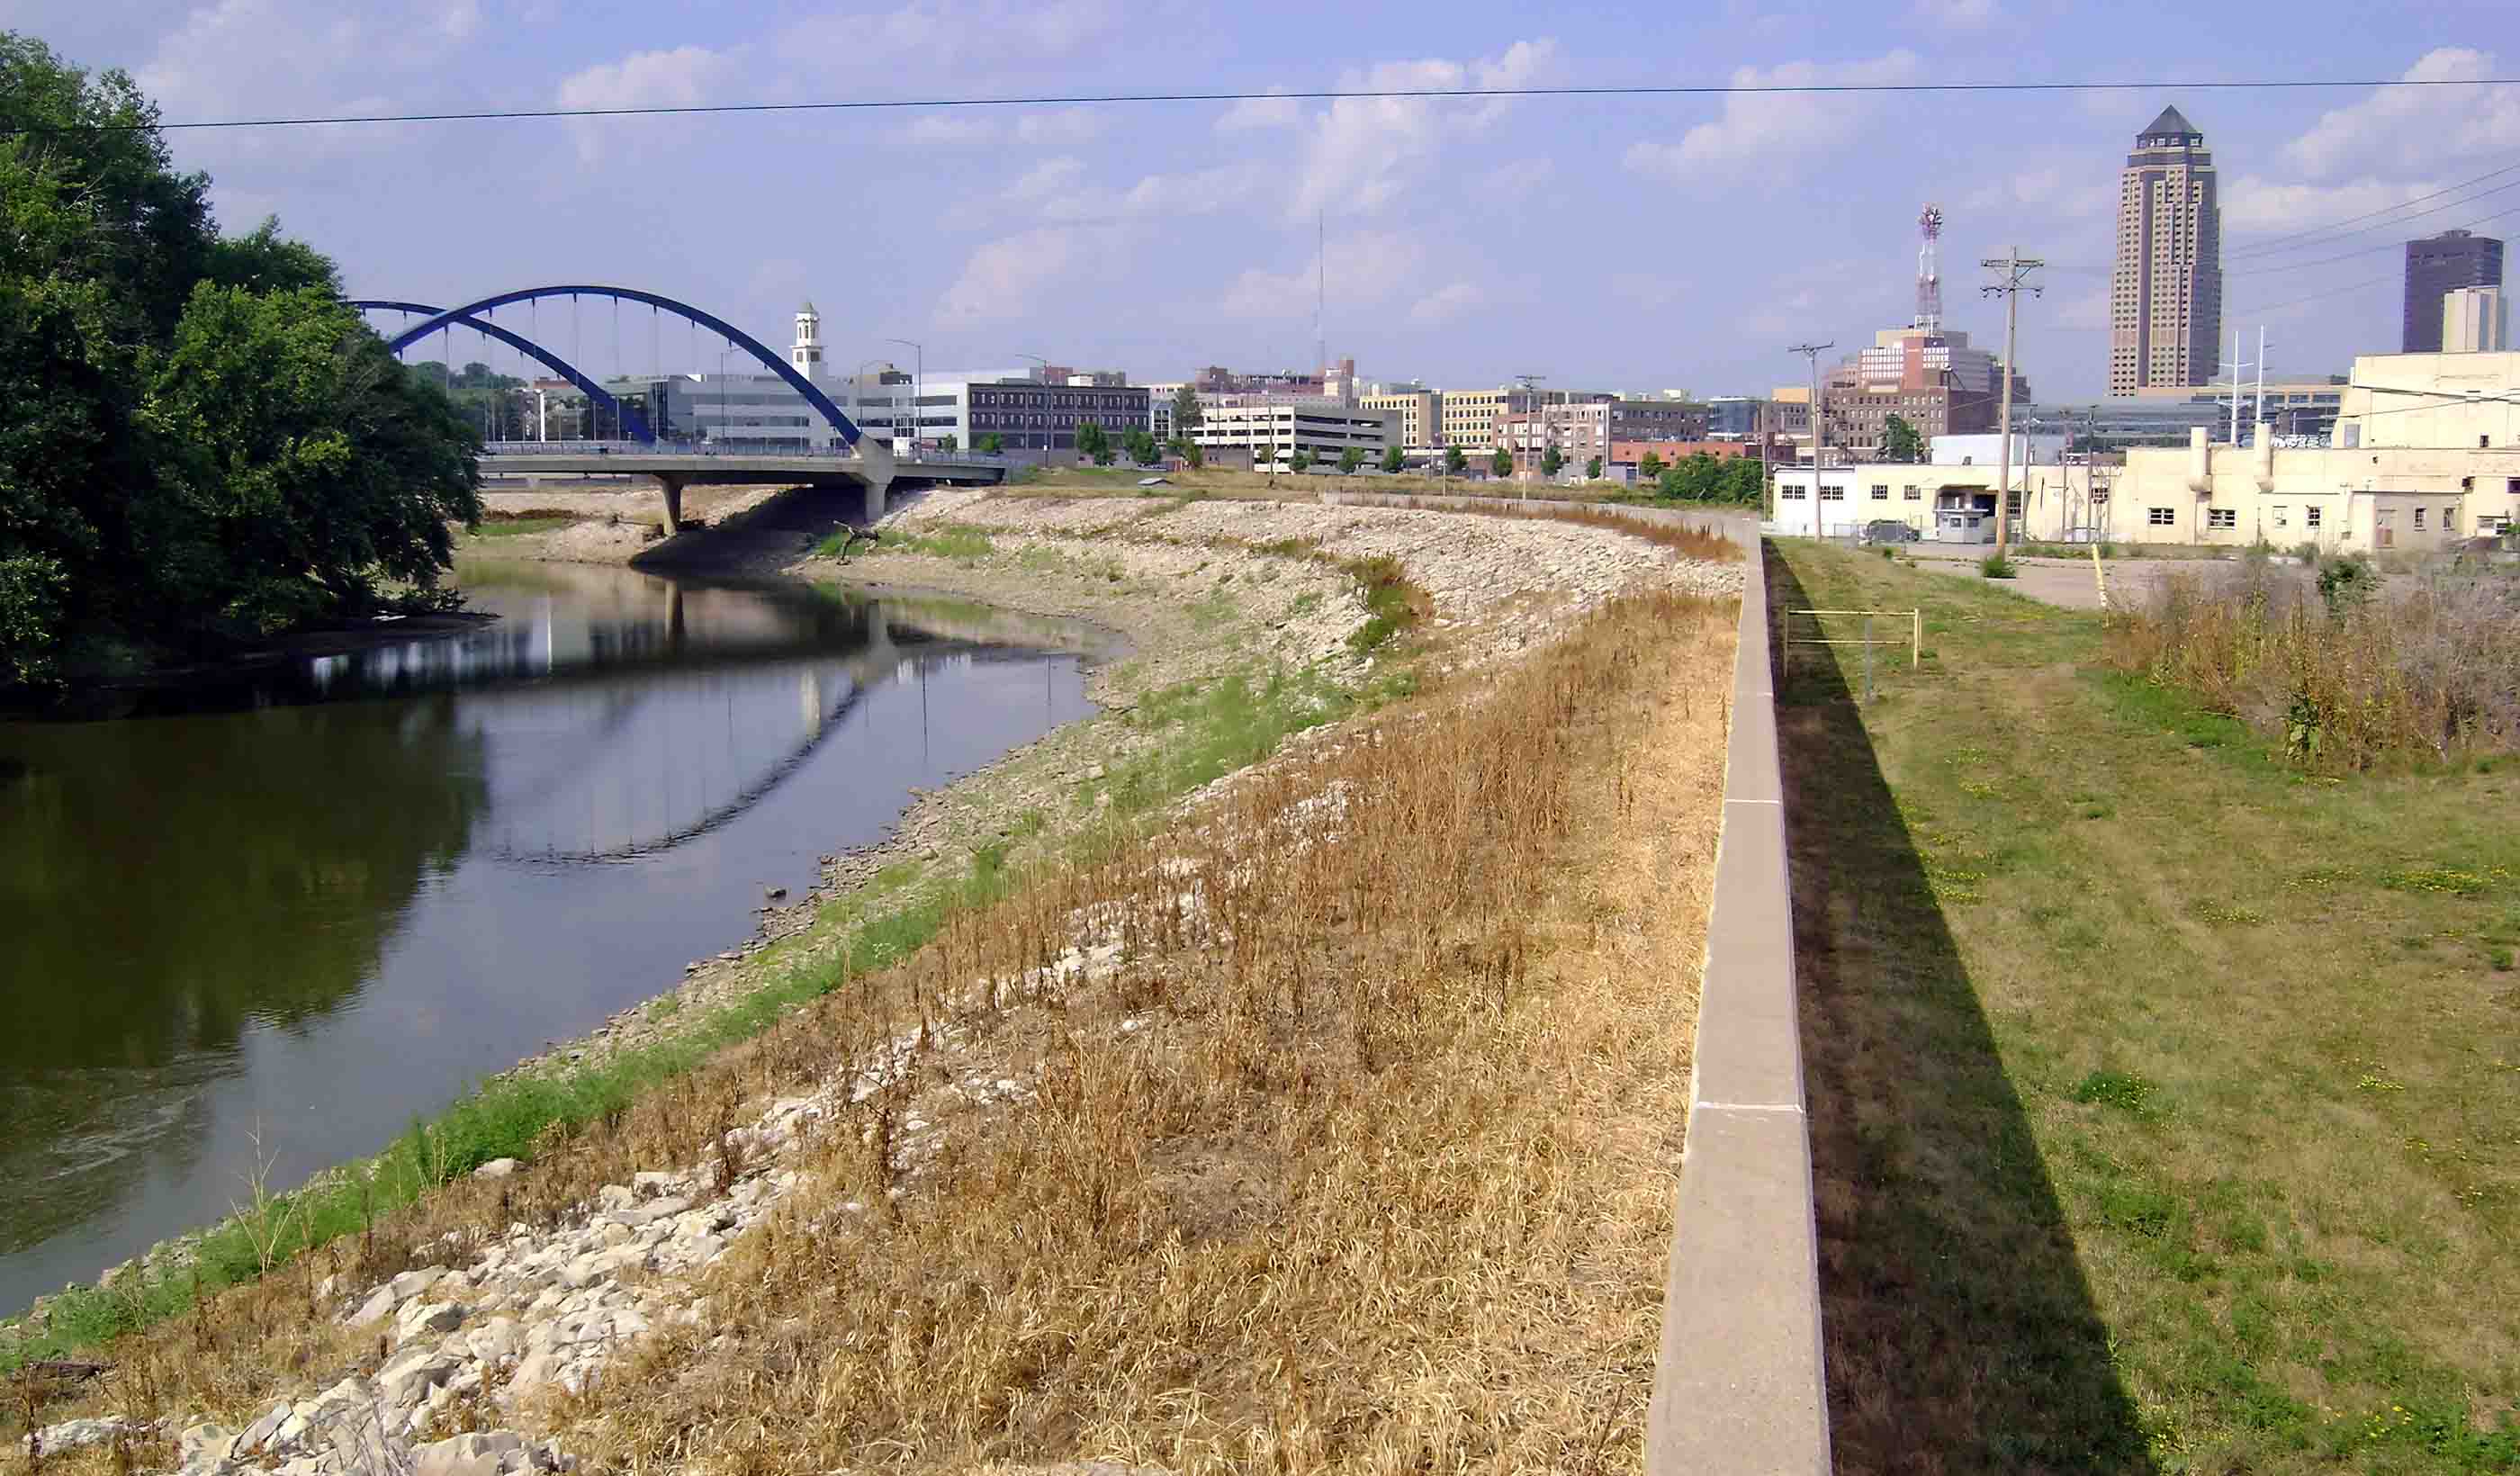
x=314, y=903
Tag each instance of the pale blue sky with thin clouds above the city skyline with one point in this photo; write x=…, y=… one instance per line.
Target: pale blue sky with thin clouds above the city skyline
x=1672, y=243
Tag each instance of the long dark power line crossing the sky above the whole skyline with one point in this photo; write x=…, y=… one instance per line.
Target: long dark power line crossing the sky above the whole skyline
x=1241, y=97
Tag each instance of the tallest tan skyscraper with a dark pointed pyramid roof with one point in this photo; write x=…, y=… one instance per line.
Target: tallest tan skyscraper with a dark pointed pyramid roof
x=2166, y=298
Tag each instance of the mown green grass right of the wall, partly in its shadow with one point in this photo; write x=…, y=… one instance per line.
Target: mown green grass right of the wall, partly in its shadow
x=2141, y=1140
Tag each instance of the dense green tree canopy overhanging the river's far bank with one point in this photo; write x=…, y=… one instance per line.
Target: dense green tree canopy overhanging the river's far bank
x=200, y=440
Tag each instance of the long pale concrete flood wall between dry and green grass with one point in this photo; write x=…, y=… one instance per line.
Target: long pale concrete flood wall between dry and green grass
x=1740, y=1382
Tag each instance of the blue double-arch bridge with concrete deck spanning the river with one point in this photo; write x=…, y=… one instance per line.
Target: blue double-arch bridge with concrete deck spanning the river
x=853, y=460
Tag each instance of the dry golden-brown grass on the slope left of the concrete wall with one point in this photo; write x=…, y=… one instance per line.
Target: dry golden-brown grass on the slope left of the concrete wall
x=1380, y=1180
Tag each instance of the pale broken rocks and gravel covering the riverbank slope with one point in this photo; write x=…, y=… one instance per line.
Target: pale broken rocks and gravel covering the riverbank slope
x=470, y=1361
